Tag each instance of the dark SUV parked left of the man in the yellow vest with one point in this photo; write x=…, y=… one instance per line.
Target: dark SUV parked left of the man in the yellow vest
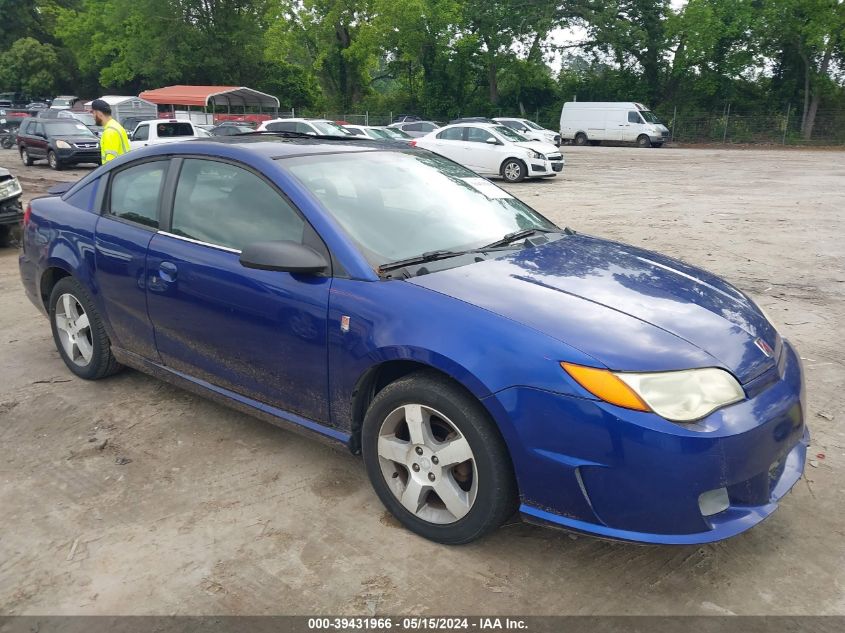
x=60, y=141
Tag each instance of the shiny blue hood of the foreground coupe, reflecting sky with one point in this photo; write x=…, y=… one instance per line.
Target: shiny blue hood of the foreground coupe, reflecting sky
x=630, y=309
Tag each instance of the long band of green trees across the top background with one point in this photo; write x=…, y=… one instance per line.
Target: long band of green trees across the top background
x=441, y=58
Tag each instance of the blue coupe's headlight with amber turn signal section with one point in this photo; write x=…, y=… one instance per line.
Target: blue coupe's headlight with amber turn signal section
x=679, y=396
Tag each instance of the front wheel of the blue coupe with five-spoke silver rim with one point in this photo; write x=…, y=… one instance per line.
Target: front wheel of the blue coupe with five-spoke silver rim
x=437, y=461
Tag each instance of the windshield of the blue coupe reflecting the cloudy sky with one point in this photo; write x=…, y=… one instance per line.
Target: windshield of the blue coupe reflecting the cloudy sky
x=396, y=205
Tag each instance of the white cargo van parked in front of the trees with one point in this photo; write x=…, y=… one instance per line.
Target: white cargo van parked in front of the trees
x=623, y=121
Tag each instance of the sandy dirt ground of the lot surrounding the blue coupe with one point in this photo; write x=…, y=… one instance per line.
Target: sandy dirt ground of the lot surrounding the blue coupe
x=218, y=513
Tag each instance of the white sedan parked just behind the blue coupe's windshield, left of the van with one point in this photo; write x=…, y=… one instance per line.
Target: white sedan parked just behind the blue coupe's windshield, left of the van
x=494, y=150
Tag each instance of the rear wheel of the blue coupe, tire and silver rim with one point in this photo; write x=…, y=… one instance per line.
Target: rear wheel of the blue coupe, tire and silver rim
x=79, y=333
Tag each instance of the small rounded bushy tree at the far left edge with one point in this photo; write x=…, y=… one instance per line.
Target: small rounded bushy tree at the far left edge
x=30, y=67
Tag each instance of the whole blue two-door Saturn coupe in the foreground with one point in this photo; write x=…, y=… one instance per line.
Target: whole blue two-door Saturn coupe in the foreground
x=483, y=360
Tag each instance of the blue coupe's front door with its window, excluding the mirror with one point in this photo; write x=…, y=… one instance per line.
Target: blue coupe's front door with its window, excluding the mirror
x=259, y=333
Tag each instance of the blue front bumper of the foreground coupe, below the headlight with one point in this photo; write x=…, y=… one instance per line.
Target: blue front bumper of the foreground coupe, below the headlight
x=592, y=467
